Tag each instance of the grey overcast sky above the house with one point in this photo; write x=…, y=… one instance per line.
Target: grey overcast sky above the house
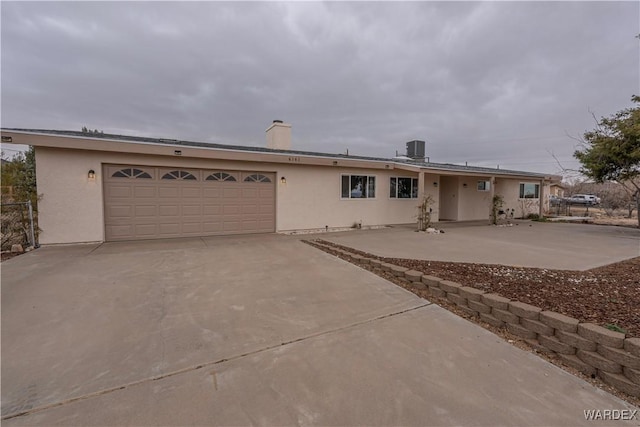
x=488, y=83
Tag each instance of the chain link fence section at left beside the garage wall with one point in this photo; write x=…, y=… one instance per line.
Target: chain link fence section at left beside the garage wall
x=17, y=225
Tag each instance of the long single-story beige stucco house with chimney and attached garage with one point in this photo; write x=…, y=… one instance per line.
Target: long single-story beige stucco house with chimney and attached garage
x=103, y=187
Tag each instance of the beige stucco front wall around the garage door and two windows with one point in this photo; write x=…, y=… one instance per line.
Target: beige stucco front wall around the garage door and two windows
x=71, y=208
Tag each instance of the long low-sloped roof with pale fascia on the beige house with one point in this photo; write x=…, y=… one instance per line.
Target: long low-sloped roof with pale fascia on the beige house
x=422, y=165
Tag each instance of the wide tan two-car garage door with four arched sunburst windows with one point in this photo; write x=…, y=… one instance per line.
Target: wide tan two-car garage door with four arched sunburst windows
x=144, y=202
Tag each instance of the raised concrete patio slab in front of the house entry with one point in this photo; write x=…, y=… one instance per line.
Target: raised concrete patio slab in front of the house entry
x=526, y=244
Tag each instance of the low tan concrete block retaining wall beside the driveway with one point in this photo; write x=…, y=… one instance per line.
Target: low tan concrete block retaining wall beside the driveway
x=586, y=347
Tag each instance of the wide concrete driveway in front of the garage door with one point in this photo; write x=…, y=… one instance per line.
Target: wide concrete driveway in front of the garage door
x=253, y=330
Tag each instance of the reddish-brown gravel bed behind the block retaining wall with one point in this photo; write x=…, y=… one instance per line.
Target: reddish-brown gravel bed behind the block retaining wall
x=608, y=296
